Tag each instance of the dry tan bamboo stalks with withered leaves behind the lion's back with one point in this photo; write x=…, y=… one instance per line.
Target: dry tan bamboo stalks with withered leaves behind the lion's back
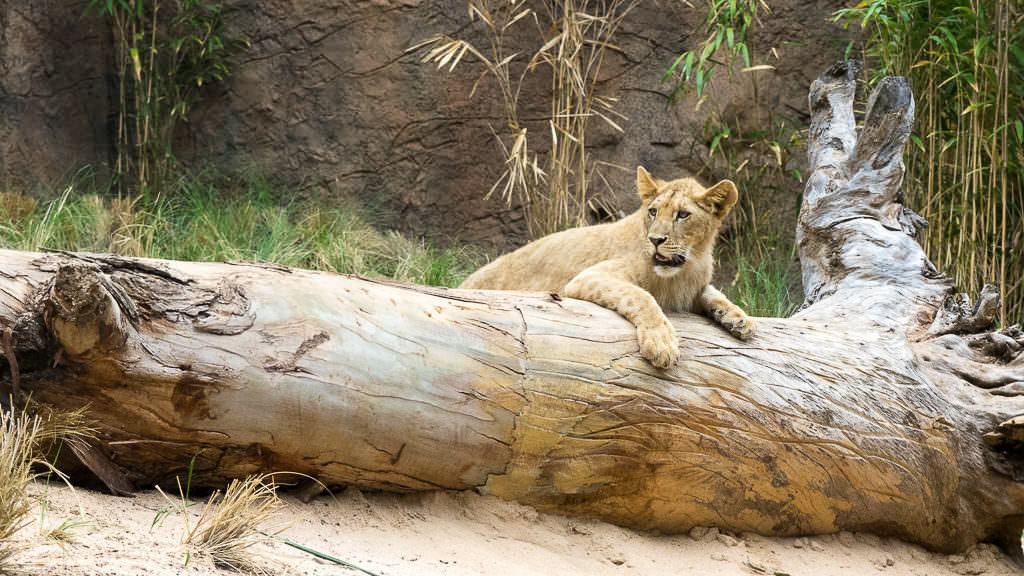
x=575, y=37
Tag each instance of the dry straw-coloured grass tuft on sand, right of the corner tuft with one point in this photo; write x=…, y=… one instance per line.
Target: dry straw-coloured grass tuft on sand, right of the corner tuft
x=231, y=524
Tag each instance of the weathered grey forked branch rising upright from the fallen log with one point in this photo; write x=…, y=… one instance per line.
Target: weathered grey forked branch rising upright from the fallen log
x=855, y=235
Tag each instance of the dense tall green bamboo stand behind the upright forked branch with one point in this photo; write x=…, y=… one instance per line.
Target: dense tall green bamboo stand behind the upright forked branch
x=966, y=162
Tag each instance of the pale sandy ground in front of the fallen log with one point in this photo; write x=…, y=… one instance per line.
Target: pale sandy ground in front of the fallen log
x=455, y=534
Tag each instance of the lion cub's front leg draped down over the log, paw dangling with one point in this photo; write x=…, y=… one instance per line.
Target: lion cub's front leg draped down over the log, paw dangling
x=603, y=284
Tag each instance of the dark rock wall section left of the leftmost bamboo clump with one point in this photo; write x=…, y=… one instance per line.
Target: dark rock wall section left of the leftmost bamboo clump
x=56, y=101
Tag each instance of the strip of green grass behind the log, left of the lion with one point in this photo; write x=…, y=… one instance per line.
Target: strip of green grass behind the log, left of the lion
x=202, y=221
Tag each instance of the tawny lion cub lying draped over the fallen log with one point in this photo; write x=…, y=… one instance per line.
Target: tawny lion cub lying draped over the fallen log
x=659, y=258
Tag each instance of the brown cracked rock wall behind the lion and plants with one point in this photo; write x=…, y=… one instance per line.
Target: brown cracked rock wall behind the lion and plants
x=328, y=105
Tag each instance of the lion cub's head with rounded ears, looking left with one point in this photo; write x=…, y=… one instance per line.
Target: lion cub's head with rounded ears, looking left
x=681, y=219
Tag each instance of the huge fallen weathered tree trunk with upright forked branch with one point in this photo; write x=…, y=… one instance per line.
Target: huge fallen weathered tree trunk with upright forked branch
x=869, y=410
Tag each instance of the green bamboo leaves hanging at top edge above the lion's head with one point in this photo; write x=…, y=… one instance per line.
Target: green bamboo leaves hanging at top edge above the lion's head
x=728, y=25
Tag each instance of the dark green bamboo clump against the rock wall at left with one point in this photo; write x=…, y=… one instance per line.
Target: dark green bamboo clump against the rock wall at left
x=163, y=62
